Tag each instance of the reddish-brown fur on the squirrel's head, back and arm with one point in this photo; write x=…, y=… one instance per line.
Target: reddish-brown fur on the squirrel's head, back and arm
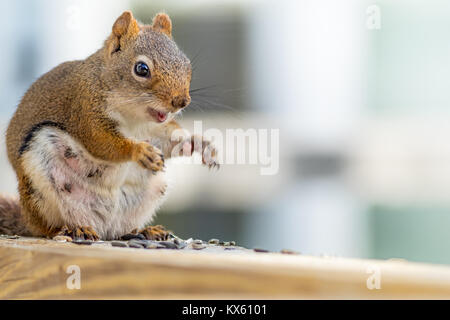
x=73, y=96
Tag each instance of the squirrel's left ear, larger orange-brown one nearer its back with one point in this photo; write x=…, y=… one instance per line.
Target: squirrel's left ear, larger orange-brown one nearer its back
x=124, y=29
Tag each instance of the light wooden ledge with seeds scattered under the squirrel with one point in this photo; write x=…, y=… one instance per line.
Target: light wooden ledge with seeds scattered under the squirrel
x=37, y=269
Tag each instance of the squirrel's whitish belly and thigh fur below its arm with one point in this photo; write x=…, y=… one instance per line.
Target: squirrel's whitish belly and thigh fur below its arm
x=79, y=190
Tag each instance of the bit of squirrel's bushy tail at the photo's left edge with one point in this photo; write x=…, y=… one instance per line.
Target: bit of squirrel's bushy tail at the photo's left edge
x=11, y=220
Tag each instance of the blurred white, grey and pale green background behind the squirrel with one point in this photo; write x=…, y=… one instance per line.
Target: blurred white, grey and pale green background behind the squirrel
x=358, y=90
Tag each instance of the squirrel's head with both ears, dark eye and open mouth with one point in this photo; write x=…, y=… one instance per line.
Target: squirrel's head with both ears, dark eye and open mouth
x=148, y=75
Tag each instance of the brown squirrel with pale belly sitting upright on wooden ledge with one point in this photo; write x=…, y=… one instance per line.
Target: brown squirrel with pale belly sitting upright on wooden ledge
x=89, y=139
